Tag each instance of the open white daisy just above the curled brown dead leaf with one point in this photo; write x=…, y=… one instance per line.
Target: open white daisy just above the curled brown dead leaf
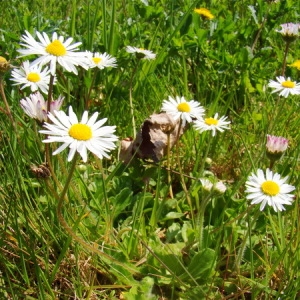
x=185, y=110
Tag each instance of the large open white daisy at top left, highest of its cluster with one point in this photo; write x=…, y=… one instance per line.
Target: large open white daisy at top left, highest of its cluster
x=56, y=50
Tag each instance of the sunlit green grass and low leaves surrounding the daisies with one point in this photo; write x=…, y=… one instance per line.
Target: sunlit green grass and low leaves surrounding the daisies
x=127, y=238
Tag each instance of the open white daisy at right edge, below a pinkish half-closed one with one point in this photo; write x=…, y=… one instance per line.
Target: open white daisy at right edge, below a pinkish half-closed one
x=284, y=86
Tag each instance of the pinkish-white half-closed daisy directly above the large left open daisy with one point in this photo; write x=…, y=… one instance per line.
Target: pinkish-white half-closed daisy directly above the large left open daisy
x=35, y=106
